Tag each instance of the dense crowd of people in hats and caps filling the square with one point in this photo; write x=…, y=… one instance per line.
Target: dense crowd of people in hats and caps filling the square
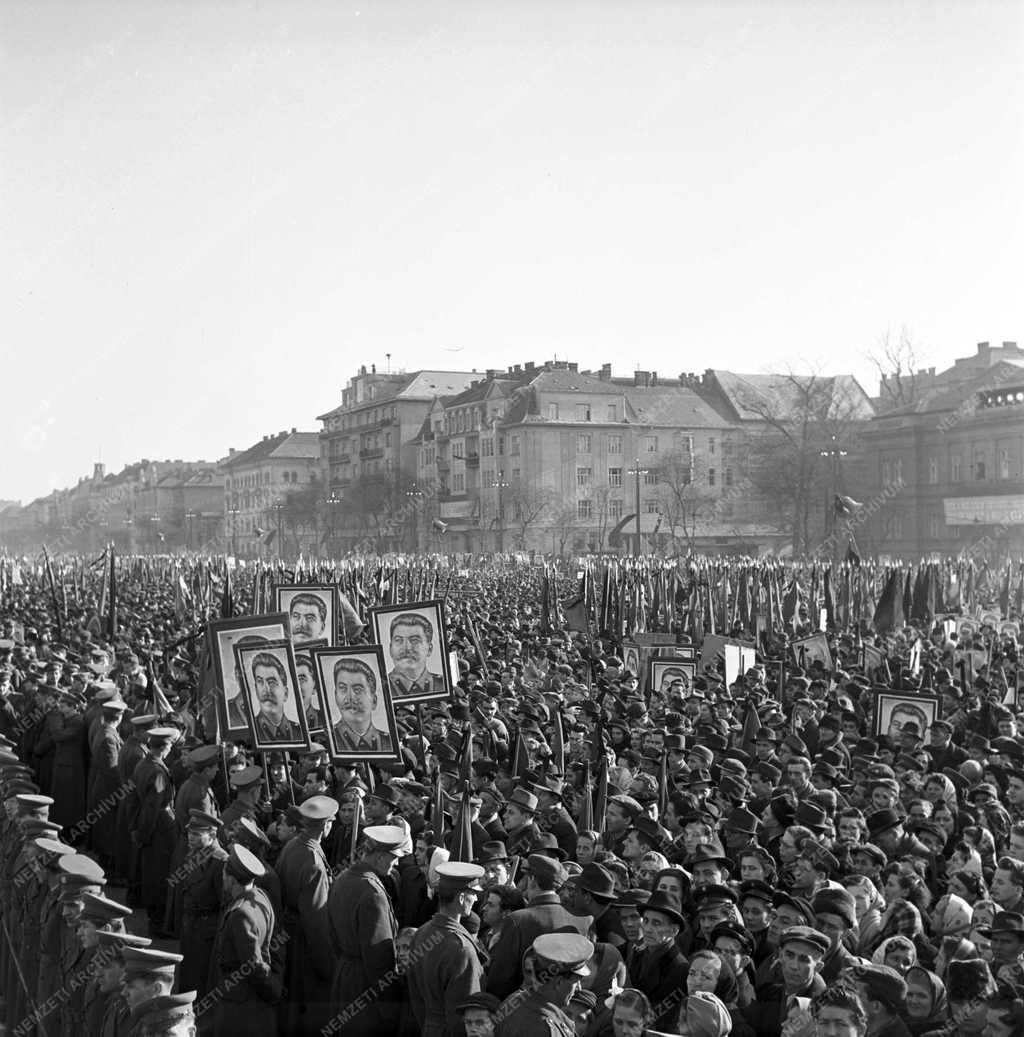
x=756, y=858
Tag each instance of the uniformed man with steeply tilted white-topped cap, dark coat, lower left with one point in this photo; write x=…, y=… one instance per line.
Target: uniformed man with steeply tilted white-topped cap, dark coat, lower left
x=245, y=988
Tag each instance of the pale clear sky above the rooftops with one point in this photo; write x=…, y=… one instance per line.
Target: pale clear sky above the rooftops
x=213, y=213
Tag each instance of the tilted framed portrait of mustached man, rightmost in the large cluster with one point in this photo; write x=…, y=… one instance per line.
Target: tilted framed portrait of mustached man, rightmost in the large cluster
x=416, y=643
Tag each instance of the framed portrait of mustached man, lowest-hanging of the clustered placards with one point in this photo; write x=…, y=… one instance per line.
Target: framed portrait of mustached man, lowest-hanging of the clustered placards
x=357, y=703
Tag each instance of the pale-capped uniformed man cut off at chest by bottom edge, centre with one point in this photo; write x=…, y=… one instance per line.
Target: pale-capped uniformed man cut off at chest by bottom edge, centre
x=562, y=962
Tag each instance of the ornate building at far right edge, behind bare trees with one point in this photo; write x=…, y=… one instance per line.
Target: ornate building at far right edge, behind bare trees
x=951, y=465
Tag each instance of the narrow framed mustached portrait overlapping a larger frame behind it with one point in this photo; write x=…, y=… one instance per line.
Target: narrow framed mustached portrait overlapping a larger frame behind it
x=272, y=695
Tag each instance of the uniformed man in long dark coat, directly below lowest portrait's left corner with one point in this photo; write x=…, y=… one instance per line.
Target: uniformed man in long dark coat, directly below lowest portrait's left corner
x=306, y=884
